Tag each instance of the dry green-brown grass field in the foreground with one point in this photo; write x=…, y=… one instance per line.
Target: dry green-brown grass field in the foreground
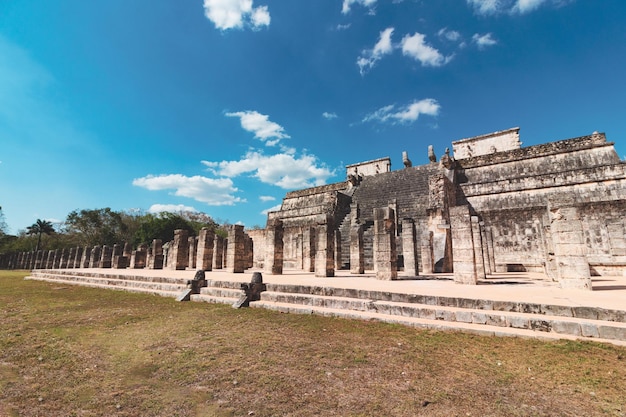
x=74, y=351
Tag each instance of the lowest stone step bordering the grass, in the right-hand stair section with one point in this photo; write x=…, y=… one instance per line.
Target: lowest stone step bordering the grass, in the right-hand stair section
x=480, y=329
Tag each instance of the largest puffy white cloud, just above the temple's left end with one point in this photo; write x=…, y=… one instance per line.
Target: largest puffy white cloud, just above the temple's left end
x=284, y=170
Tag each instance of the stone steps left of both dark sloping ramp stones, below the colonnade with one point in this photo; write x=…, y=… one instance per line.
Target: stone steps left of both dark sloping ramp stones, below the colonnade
x=159, y=285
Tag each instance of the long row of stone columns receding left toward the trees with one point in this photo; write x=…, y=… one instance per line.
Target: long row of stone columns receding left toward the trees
x=207, y=251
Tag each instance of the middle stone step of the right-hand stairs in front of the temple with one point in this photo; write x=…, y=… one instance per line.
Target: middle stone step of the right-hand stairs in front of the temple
x=506, y=319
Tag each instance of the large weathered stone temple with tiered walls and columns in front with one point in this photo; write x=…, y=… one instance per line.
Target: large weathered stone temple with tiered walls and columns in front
x=489, y=206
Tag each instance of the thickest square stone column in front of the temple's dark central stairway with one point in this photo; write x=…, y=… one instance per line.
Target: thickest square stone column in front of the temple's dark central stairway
x=385, y=255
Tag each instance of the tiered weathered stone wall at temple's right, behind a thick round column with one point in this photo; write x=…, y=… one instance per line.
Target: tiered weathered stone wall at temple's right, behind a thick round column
x=511, y=192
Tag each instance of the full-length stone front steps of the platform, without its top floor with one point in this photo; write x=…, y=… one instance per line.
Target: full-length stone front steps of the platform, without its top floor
x=479, y=316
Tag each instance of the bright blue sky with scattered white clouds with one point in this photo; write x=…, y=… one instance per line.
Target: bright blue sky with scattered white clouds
x=222, y=106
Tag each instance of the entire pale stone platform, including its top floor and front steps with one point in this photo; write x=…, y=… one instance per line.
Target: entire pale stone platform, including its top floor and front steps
x=508, y=304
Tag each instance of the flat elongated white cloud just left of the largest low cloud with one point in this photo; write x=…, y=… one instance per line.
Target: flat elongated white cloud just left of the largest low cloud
x=214, y=192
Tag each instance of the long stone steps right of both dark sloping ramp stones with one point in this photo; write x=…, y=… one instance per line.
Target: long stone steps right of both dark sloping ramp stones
x=485, y=317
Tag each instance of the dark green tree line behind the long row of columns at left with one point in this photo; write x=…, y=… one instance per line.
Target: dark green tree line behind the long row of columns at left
x=104, y=227
